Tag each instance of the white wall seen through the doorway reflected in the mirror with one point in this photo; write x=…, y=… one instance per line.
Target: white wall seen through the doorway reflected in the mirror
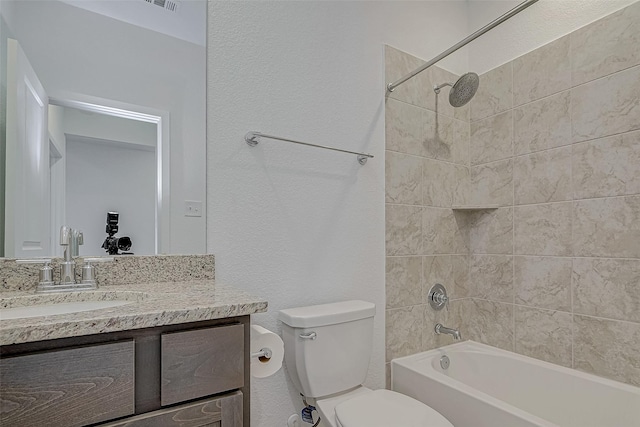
x=93, y=189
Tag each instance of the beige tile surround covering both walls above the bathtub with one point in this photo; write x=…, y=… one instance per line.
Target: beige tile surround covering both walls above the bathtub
x=554, y=272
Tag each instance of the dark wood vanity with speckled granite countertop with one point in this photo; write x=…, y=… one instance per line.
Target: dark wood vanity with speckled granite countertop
x=172, y=353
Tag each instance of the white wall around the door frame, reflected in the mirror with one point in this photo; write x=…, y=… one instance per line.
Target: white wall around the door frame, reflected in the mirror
x=77, y=51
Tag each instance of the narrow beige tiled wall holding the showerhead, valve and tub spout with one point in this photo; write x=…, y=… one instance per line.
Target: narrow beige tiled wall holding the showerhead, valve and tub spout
x=427, y=172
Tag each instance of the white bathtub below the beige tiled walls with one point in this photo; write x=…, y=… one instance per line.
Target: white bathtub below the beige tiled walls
x=488, y=387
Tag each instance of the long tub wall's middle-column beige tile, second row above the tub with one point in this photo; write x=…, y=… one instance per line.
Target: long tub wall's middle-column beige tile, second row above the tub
x=543, y=282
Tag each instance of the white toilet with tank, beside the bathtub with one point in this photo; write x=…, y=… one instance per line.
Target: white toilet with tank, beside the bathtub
x=327, y=352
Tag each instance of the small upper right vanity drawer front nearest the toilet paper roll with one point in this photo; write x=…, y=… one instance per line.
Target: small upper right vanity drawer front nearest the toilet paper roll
x=201, y=362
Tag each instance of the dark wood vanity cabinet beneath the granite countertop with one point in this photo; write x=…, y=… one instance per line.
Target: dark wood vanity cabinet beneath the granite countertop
x=194, y=374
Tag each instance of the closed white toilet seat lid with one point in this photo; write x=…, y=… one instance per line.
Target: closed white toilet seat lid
x=385, y=408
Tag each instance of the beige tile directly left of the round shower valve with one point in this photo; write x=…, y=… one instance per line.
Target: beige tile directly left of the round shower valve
x=403, y=281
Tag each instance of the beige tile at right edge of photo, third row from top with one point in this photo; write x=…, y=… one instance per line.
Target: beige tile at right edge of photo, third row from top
x=607, y=167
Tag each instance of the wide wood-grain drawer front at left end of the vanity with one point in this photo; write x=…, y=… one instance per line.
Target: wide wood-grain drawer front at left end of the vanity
x=70, y=387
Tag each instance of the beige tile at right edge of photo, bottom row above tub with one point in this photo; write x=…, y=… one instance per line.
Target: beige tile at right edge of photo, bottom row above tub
x=608, y=348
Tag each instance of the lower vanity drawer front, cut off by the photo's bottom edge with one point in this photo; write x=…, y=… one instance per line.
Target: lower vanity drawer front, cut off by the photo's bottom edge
x=224, y=411
